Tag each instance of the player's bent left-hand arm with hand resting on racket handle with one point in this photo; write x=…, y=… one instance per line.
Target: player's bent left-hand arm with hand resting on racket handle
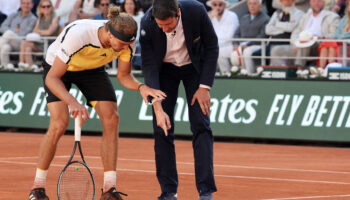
x=54, y=83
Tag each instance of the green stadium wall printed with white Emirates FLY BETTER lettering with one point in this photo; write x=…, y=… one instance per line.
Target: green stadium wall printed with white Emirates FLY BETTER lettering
x=249, y=108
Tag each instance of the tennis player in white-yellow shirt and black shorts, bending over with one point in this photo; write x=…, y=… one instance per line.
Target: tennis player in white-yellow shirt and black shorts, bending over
x=78, y=56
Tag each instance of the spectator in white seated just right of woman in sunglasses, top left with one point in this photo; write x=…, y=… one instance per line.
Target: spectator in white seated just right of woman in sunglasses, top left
x=63, y=8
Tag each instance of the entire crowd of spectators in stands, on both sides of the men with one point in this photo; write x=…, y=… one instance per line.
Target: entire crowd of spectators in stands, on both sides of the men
x=301, y=24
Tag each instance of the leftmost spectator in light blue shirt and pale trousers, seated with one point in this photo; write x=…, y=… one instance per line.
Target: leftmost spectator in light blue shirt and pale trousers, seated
x=17, y=24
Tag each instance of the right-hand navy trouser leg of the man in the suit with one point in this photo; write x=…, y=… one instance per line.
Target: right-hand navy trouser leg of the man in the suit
x=202, y=139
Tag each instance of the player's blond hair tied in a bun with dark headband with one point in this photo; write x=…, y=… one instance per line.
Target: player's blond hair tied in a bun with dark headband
x=121, y=22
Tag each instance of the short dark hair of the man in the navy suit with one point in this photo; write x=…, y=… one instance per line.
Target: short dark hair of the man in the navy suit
x=164, y=9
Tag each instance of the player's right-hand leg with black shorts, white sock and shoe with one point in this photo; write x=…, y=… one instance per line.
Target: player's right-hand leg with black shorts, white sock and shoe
x=101, y=95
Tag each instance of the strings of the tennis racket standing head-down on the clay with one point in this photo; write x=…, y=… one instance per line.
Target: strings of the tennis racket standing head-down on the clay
x=76, y=183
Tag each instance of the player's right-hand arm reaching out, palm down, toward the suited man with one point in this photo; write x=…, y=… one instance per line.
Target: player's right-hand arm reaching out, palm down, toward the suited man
x=125, y=77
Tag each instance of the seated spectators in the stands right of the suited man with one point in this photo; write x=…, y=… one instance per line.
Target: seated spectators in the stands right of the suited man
x=295, y=28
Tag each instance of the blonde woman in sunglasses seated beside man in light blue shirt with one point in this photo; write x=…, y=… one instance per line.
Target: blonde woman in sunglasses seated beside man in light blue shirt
x=46, y=25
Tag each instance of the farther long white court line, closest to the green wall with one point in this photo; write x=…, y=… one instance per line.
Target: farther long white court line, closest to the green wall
x=191, y=163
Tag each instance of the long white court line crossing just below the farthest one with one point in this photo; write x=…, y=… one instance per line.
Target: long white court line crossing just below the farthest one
x=192, y=174
